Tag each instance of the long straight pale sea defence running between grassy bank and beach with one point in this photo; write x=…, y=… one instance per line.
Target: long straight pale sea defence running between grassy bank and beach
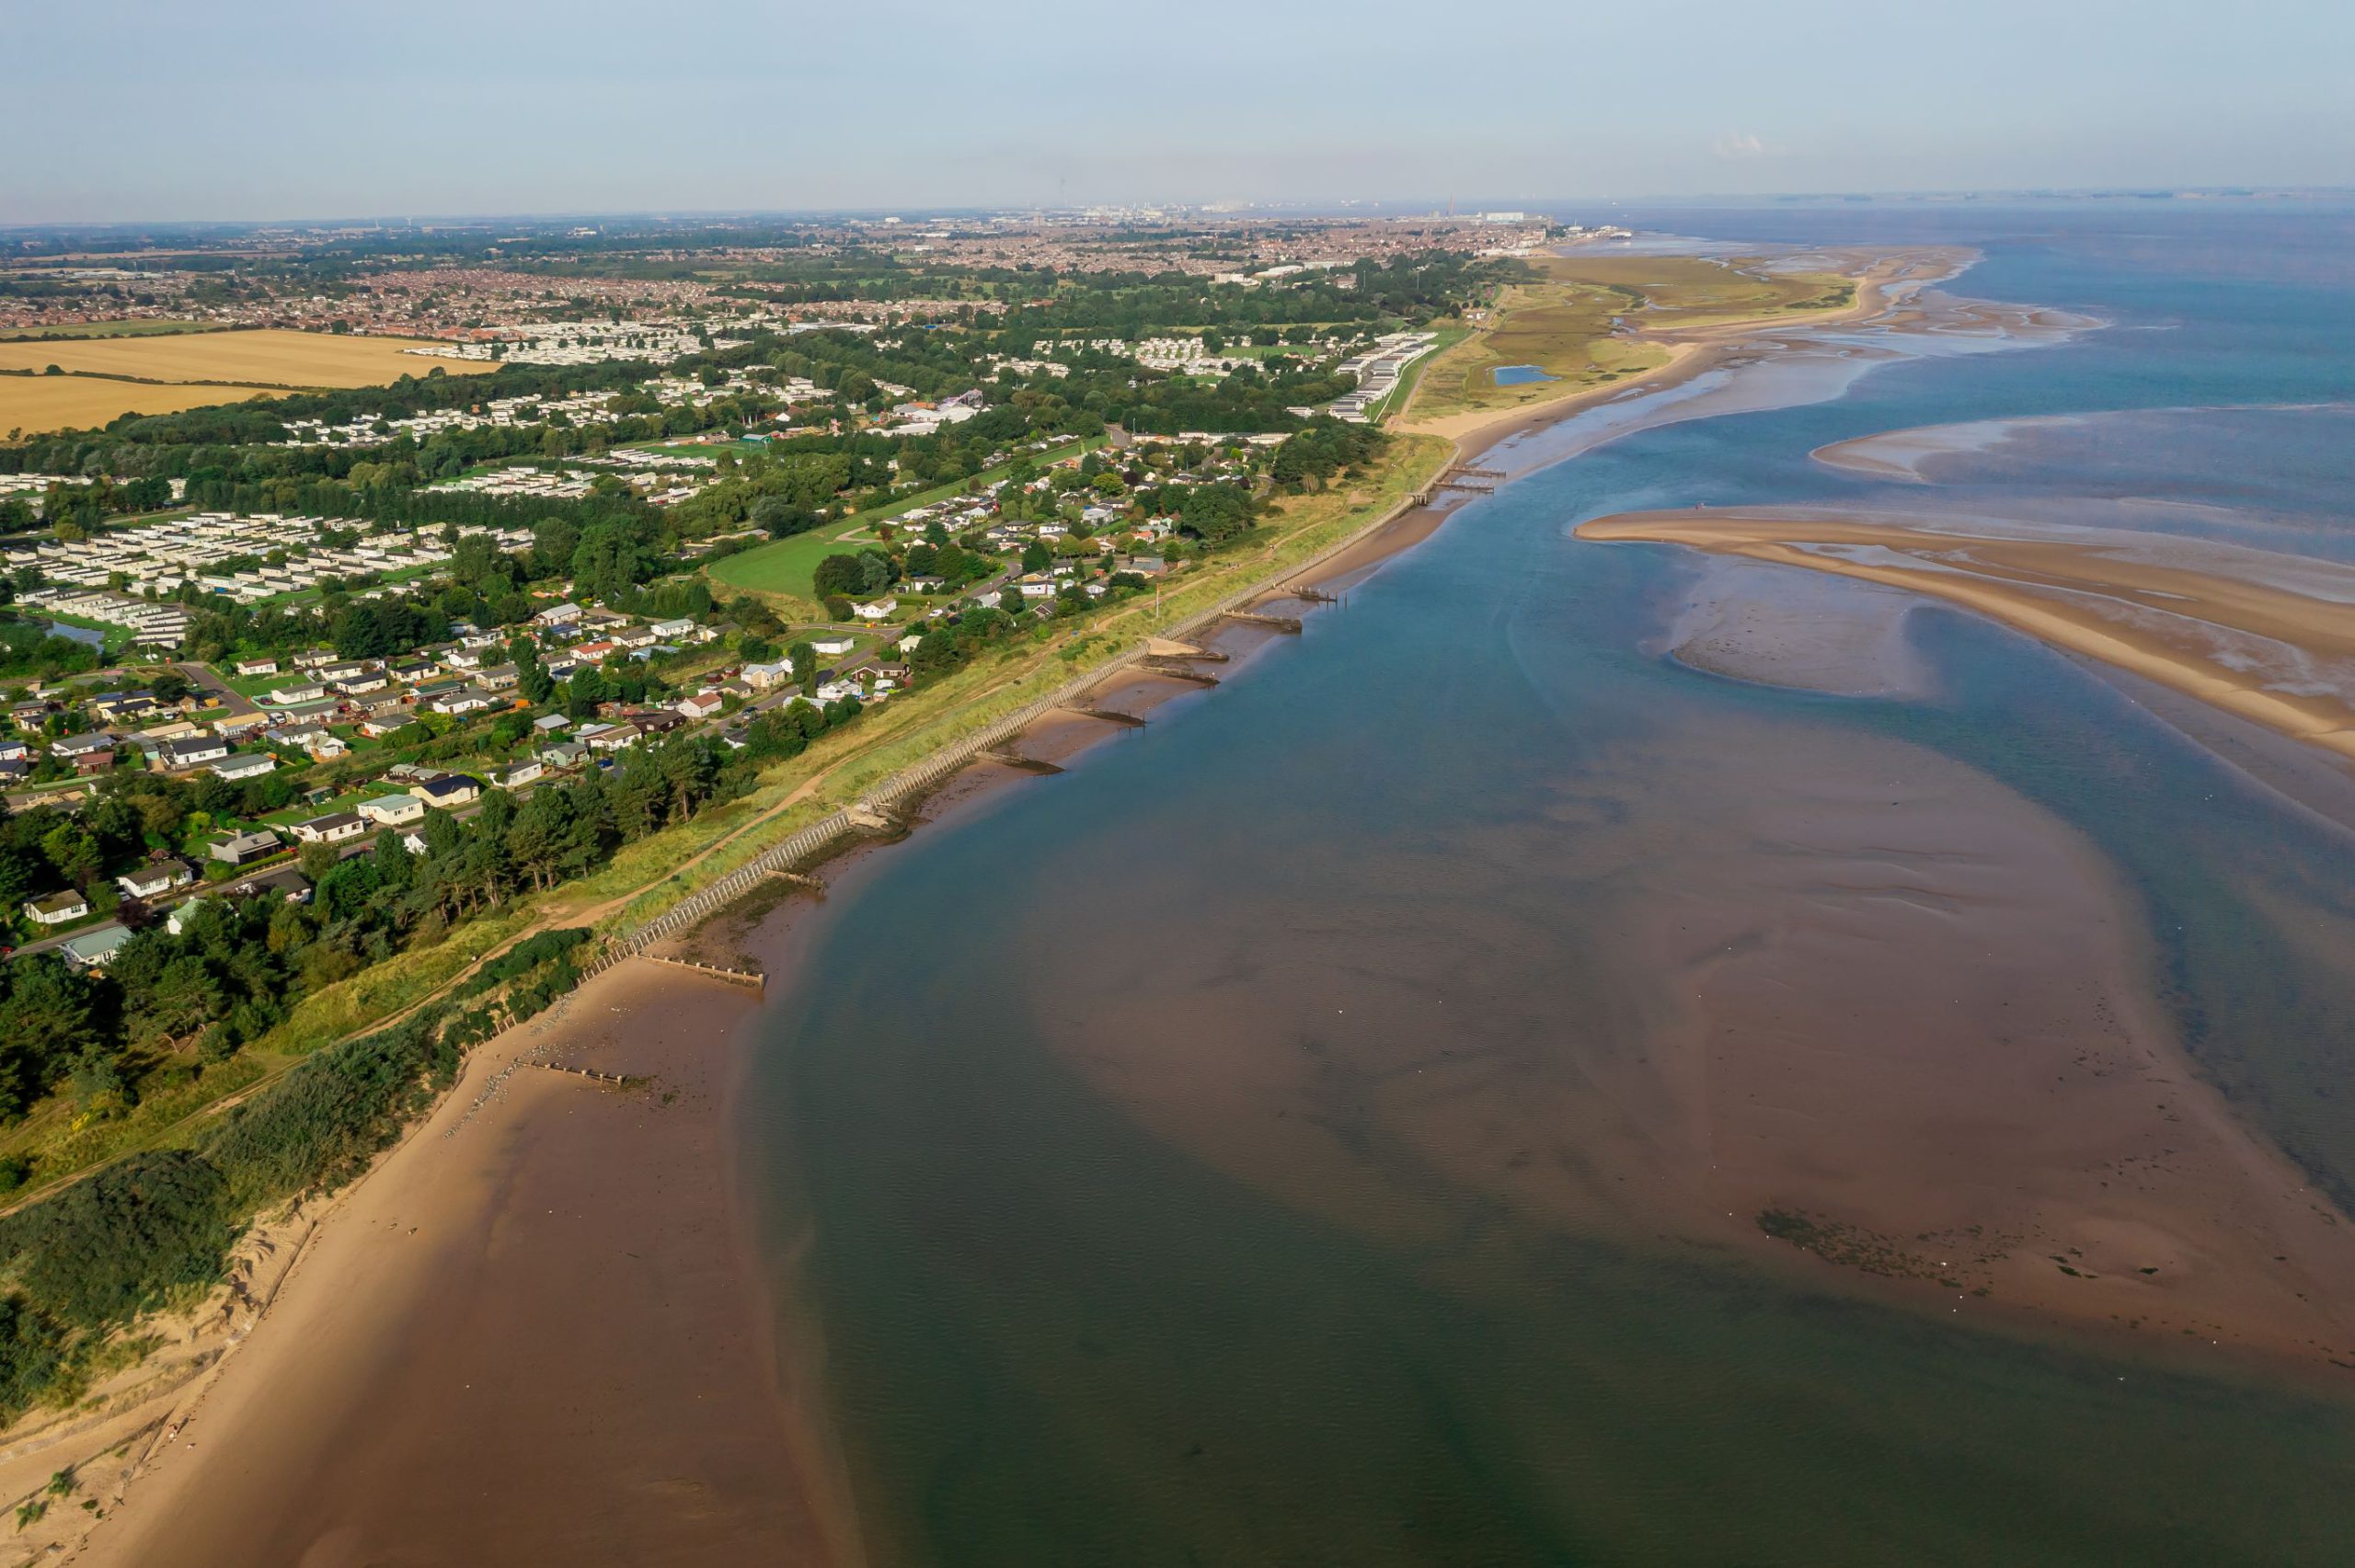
x=818, y=839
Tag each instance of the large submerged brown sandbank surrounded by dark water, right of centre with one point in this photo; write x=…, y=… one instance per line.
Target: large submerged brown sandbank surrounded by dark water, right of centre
x=1864, y=1016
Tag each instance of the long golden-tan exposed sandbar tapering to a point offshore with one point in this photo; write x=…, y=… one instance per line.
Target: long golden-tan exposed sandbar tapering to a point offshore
x=2213, y=623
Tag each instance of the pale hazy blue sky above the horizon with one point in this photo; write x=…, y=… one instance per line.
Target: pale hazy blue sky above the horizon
x=265, y=109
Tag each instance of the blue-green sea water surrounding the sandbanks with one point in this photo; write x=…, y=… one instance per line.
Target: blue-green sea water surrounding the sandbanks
x=1084, y=1308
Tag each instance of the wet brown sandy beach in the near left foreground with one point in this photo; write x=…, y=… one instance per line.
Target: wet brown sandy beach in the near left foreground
x=531, y=1336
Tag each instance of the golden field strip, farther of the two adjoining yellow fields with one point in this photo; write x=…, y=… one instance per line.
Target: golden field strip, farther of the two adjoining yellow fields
x=239, y=359
